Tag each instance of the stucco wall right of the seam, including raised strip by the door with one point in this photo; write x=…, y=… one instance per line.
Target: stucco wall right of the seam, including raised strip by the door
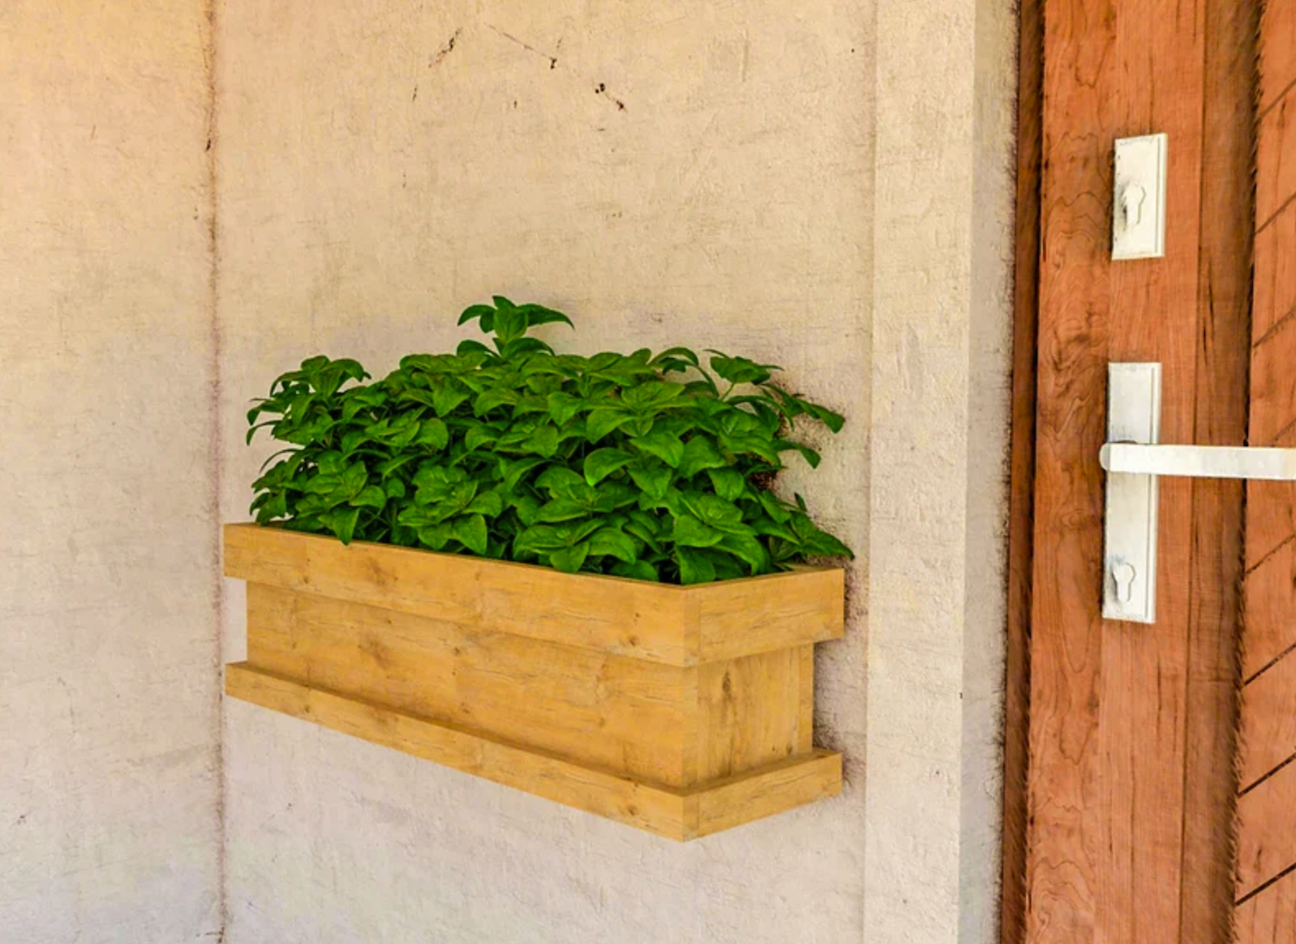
x=818, y=185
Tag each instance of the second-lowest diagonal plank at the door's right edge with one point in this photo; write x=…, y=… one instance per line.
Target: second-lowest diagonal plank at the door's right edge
x=1267, y=831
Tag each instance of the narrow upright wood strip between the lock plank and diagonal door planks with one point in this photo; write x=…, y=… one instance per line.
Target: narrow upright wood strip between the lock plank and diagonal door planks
x=1221, y=399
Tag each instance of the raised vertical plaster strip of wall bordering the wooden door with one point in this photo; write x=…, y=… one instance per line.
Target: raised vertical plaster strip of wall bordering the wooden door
x=940, y=414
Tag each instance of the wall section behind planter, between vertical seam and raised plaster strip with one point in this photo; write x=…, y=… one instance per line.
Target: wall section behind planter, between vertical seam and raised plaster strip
x=726, y=206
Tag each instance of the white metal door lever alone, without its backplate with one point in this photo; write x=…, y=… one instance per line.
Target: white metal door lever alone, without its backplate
x=1199, y=462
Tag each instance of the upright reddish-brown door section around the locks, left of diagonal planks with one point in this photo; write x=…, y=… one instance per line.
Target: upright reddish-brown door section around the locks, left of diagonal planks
x=1131, y=727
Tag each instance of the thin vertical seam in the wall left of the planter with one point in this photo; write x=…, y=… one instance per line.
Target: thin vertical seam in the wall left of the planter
x=216, y=444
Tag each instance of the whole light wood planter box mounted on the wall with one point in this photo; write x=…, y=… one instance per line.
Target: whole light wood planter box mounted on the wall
x=682, y=711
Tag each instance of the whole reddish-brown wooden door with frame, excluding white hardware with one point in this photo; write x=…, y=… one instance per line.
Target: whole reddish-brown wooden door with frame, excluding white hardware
x=1158, y=763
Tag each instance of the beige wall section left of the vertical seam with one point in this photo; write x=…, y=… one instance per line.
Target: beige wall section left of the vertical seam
x=108, y=631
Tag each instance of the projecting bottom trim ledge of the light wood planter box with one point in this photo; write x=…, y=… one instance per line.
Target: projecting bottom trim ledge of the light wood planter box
x=676, y=814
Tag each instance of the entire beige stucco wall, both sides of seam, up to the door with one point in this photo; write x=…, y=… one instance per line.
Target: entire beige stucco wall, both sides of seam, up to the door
x=825, y=186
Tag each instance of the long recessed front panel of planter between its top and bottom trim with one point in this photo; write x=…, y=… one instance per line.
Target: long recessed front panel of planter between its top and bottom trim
x=625, y=715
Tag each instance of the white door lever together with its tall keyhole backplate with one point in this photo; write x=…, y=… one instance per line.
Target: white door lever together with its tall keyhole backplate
x=1135, y=461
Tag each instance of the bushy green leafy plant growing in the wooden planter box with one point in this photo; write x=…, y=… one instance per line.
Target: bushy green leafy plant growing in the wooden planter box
x=633, y=465
